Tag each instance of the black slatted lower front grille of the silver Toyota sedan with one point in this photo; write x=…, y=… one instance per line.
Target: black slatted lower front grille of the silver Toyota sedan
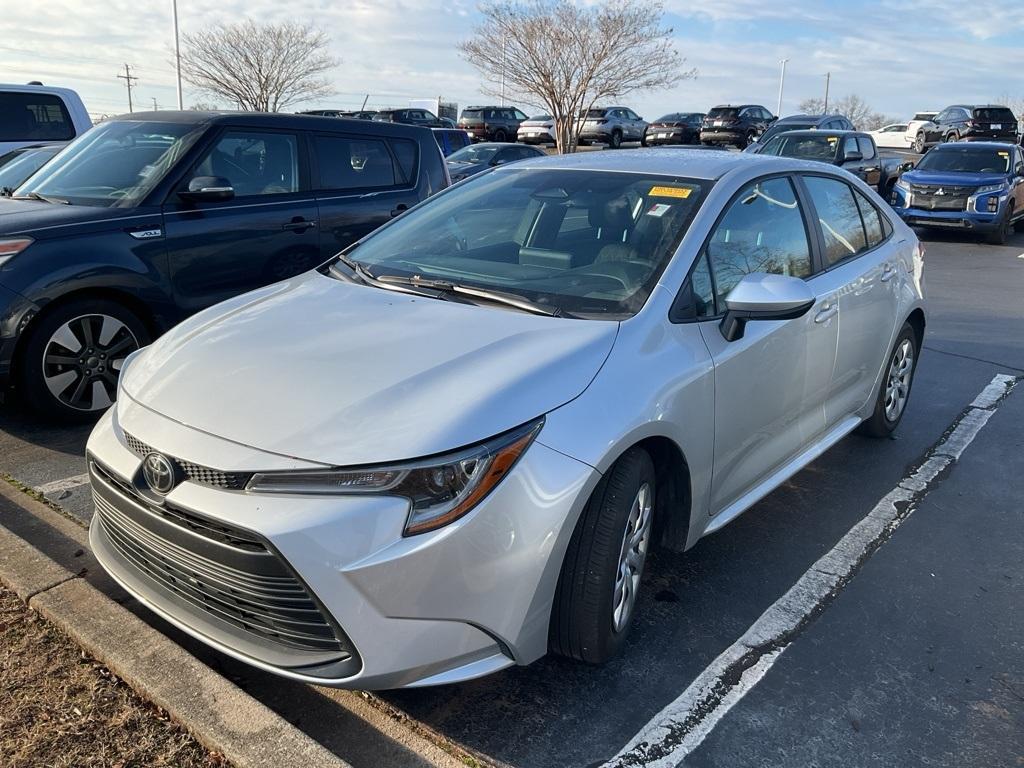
x=251, y=590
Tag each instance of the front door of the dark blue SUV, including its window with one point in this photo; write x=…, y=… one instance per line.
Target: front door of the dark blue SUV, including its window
x=265, y=233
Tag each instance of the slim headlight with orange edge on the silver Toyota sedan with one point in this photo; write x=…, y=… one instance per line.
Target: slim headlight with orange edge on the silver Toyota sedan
x=440, y=490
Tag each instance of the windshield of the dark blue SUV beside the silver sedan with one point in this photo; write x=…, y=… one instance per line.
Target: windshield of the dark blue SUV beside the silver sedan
x=114, y=165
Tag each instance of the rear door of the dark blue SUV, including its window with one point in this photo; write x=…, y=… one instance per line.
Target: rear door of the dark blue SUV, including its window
x=362, y=182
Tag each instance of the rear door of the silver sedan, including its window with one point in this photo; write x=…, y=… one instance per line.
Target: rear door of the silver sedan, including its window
x=862, y=266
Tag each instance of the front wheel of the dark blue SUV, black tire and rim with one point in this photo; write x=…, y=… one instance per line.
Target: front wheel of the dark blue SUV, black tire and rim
x=35, y=376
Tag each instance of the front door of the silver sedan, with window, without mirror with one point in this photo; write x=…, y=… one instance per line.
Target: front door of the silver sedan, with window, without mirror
x=772, y=385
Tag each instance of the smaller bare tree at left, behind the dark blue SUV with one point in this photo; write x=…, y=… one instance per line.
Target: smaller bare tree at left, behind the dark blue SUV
x=259, y=67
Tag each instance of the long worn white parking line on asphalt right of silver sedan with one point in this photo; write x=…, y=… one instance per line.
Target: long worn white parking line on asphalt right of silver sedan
x=684, y=726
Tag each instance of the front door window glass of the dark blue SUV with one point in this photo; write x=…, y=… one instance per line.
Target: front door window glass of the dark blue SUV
x=254, y=163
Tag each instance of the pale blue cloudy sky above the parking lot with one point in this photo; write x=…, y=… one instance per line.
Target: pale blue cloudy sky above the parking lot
x=901, y=56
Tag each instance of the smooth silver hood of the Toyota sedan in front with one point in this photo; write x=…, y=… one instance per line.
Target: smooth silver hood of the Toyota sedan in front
x=332, y=372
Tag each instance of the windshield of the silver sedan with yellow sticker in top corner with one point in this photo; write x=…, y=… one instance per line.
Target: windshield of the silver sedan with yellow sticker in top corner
x=586, y=243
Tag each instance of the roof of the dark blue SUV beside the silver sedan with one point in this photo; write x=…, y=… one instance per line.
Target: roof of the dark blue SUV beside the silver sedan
x=271, y=120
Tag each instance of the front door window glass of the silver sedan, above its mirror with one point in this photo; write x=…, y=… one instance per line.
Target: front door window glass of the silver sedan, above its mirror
x=762, y=232
